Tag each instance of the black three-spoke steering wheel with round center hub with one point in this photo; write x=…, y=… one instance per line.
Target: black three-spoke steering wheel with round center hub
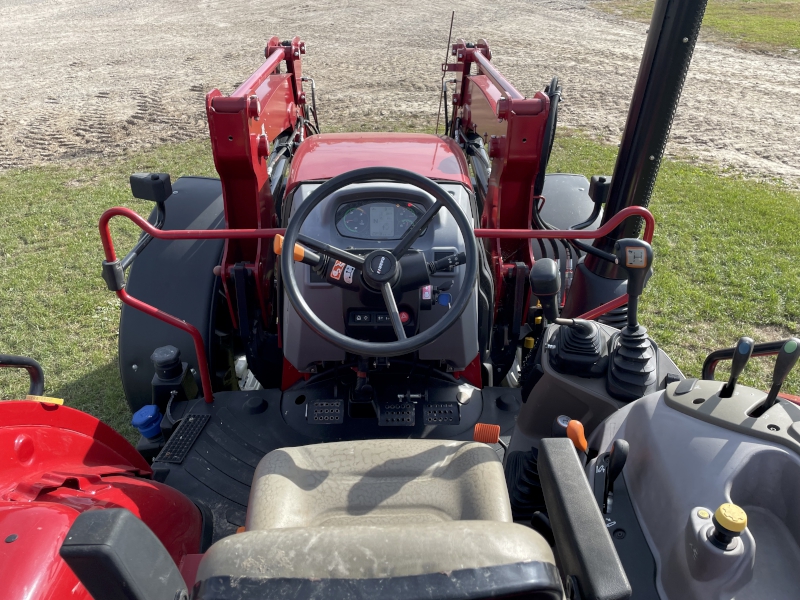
x=380, y=268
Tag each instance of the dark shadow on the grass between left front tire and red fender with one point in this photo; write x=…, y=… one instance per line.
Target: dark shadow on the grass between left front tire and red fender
x=99, y=393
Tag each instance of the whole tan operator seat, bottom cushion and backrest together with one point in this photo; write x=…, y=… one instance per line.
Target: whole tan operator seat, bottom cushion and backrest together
x=384, y=519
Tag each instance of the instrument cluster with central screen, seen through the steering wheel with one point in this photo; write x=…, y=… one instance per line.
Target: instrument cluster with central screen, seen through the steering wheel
x=377, y=219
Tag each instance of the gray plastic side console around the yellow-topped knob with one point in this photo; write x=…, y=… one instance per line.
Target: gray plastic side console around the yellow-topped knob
x=679, y=462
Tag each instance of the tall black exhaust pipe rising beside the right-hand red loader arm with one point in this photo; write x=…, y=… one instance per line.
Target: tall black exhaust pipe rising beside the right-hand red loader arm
x=673, y=33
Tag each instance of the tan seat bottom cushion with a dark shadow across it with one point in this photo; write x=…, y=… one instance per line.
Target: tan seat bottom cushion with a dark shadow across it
x=373, y=482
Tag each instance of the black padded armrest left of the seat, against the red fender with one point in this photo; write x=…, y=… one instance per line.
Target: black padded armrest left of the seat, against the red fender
x=116, y=556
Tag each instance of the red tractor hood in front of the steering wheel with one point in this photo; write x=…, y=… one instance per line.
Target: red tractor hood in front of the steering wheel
x=328, y=155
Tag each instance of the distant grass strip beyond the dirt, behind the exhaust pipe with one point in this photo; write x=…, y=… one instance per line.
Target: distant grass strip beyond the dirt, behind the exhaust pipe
x=751, y=24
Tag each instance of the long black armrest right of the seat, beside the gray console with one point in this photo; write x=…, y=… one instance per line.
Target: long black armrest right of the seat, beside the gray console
x=583, y=544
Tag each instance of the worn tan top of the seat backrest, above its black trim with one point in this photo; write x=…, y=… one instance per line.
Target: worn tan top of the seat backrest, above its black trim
x=371, y=552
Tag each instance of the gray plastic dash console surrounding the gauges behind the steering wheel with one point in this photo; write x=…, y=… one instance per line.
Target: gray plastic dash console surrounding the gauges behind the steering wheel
x=302, y=347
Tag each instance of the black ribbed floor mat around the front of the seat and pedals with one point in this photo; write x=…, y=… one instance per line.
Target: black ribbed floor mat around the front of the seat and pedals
x=241, y=427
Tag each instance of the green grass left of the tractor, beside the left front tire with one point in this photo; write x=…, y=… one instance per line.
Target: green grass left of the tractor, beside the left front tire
x=54, y=306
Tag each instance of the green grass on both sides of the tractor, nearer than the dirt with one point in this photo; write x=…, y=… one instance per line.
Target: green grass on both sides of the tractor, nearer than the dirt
x=727, y=264
